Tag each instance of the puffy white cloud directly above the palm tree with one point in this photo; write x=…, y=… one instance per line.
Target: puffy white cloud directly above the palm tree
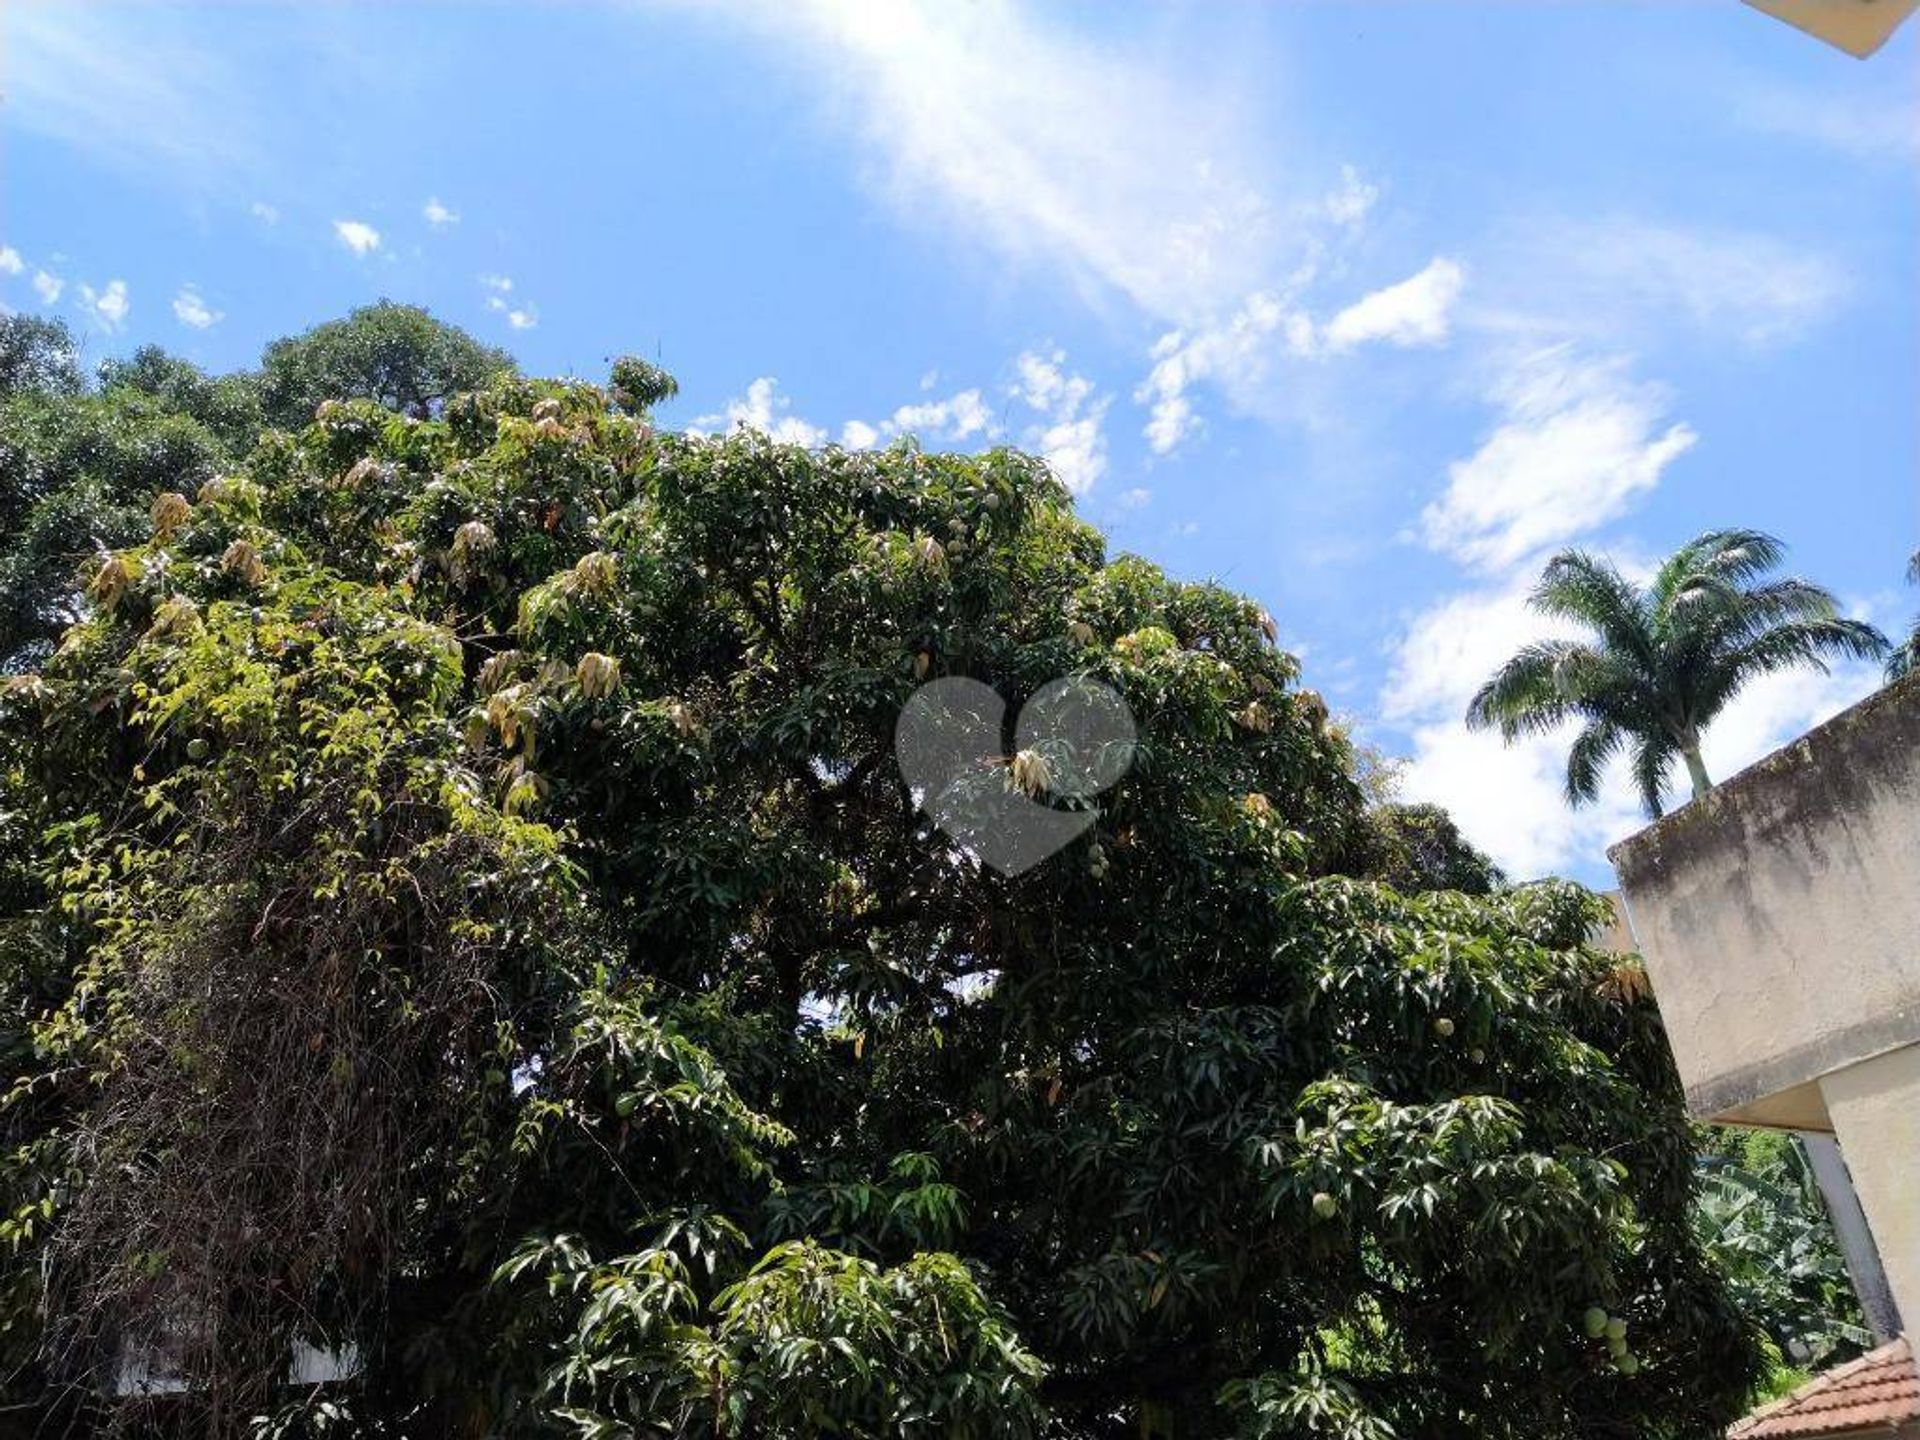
x=1577, y=443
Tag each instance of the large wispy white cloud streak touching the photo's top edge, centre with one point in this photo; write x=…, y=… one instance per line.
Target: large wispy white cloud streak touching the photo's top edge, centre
x=997, y=122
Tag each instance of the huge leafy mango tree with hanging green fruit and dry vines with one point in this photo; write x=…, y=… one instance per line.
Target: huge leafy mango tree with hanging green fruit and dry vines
x=462, y=907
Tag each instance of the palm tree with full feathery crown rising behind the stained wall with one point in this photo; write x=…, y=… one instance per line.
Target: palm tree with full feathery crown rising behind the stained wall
x=1664, y=660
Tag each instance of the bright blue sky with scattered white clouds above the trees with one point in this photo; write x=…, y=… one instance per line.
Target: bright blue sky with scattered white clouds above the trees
x=1356, y=308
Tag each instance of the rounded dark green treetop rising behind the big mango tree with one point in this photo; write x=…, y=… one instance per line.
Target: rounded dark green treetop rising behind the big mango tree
x=398, y=356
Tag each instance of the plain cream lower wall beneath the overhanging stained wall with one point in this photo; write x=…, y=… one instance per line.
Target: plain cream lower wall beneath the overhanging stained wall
x=1877, y=1118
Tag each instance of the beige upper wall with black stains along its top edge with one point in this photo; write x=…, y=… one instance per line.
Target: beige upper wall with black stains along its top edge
x=1781, y=917
